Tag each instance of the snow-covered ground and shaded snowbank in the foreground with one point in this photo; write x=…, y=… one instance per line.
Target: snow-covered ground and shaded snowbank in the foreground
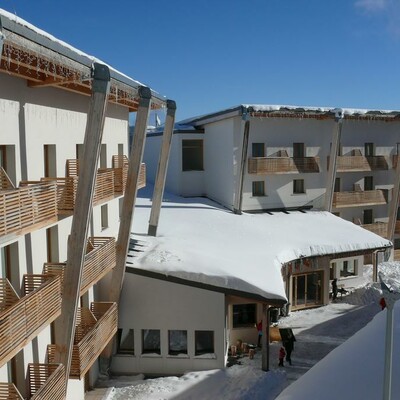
x=350, y=369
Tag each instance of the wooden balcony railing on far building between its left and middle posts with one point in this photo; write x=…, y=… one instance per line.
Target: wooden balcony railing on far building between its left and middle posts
x=282, y=165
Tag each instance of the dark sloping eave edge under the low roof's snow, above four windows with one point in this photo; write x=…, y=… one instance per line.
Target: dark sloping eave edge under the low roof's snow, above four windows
x=273, y=300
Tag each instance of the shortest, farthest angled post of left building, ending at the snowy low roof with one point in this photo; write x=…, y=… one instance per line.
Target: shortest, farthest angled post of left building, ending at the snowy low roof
x=159, y=183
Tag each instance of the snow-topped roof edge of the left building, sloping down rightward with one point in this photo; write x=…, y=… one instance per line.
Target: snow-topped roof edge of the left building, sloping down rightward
x=12, y=25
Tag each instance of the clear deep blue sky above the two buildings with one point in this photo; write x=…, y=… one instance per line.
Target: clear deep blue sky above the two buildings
x=210, y=55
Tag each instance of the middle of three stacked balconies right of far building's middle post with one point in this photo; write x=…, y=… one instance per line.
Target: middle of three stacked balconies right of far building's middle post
x=360, y=198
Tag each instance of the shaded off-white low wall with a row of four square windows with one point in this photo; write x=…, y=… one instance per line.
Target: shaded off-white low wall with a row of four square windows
x=148, y=303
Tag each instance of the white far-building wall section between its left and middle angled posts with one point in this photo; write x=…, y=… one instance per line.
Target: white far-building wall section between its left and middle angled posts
x=280, y=134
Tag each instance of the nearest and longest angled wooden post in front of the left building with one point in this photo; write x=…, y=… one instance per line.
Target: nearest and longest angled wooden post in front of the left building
x=82, y=211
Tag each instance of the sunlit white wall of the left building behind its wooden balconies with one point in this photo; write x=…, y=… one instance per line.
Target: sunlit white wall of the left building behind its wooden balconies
x=31, y=118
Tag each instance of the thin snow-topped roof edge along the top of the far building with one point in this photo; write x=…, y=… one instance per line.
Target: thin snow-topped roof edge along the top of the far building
x=292, y=110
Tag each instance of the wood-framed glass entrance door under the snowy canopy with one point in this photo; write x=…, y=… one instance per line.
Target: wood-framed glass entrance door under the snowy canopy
x=307, y=290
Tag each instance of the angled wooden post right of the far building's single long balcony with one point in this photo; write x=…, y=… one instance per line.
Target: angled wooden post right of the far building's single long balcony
x=330, y=182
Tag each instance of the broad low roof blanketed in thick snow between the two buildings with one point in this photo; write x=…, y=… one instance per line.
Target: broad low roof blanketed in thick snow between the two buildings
x=199, y=241
